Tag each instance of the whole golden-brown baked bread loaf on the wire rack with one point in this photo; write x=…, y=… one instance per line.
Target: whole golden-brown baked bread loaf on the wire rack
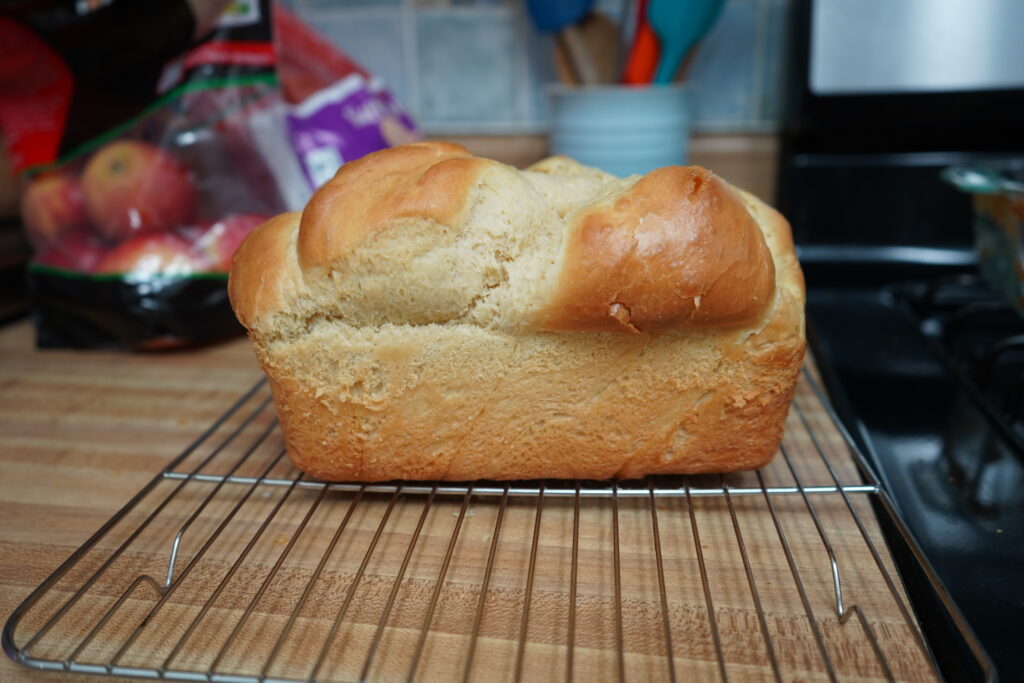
x=436, y=316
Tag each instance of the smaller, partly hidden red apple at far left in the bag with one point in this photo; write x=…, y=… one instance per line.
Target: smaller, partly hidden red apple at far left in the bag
x=52, y=206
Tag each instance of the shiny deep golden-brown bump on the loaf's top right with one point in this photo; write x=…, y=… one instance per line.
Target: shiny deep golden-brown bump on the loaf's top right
x=679, y=249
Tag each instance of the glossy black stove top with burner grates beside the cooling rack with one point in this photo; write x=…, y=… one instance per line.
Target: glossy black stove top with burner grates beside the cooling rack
x=929, y=376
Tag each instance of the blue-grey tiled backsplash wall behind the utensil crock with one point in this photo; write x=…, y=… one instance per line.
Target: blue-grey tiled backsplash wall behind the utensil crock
x=482, y=68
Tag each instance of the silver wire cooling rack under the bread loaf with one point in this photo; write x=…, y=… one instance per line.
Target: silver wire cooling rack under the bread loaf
x=232, y=567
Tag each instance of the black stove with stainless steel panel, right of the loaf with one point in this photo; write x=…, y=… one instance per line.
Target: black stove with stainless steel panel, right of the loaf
x=924, y=360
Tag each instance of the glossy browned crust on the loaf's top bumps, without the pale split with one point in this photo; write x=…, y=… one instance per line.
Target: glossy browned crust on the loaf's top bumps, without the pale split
x=678, y=249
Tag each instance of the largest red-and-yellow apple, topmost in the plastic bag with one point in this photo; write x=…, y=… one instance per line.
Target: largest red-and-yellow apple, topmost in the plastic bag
x=134, y=188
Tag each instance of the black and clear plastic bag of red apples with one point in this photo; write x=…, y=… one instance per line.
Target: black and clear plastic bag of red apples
x=142, y=170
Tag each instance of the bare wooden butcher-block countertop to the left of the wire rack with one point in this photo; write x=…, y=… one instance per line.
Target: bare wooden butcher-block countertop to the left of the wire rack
x=80, y=434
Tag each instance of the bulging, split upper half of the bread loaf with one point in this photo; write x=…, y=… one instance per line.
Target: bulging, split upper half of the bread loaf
x=428, y=234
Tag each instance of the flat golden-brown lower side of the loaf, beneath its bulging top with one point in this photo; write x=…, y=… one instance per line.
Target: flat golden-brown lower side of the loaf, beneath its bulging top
x=626, y=409
